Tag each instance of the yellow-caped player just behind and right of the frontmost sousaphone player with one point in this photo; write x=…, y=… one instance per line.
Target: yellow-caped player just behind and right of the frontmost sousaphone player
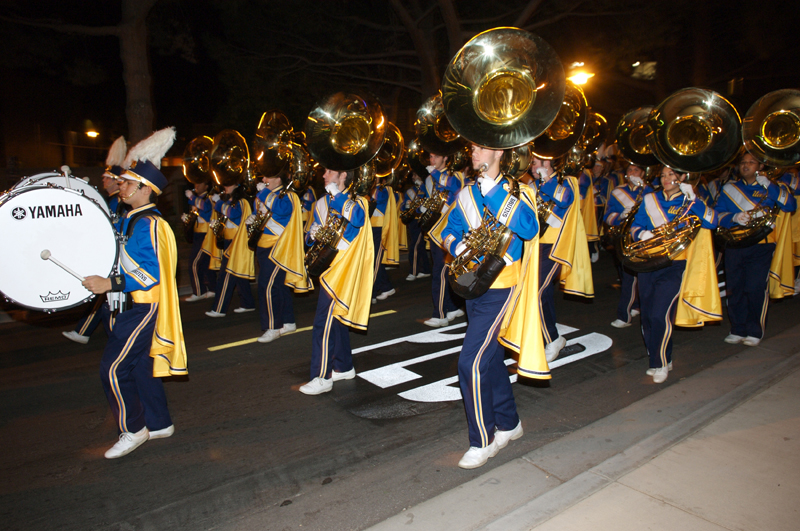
x=563, y=250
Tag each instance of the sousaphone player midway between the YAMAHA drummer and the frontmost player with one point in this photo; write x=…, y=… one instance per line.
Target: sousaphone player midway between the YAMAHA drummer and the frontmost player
x=344, y=132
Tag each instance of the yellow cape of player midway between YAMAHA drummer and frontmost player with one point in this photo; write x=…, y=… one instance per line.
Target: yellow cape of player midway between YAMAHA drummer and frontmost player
x=349, y=278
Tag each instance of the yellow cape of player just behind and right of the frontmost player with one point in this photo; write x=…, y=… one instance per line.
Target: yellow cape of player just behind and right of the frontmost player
x=571, y=249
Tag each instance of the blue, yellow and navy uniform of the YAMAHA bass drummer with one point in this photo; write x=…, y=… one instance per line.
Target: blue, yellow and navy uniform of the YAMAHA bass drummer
x=145, y=341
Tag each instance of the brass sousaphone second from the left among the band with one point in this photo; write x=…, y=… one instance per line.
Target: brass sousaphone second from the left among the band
x=230, y=160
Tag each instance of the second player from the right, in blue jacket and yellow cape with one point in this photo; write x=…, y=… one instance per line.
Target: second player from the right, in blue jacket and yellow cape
x=665, y=292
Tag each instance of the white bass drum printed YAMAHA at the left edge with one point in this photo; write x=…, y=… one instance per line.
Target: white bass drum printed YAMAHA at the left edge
x=74, y=228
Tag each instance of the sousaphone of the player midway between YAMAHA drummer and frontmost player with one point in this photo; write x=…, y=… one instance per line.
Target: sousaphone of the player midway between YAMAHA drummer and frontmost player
x=345, y=132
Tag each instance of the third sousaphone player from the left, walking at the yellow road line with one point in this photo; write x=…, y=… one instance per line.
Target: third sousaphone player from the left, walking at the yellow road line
x=276, y=230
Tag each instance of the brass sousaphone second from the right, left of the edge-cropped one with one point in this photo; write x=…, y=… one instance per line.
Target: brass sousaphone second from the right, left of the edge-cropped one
x=693, y=130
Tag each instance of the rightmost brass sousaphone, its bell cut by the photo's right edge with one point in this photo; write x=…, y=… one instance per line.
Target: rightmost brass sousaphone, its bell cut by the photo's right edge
x=771, y=134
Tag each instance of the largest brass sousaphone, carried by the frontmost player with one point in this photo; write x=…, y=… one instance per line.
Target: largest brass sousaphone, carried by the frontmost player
x=504, y=88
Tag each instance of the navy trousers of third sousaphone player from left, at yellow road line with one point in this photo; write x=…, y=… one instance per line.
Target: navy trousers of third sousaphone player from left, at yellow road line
x=275, y=302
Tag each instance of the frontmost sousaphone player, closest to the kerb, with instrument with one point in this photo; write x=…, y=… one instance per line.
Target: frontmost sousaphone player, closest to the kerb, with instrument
x=493, y=220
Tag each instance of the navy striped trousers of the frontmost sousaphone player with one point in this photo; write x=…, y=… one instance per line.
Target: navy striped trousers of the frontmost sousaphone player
x=482, y=373
